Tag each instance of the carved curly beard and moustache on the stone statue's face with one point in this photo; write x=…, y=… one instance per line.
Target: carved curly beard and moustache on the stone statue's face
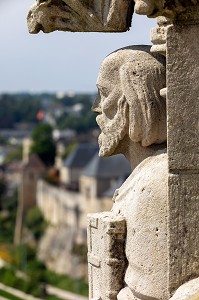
x=113, y=130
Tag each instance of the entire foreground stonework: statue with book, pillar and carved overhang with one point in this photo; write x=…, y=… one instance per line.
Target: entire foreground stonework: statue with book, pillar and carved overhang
x=147, y=246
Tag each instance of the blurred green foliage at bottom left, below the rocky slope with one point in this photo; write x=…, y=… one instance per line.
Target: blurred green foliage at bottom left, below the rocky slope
x=37, y=276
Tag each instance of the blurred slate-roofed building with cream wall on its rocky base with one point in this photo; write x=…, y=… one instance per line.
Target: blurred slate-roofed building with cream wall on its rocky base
x=88, y=183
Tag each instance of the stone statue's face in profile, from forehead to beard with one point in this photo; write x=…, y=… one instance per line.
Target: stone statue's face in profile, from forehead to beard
x=109, y=104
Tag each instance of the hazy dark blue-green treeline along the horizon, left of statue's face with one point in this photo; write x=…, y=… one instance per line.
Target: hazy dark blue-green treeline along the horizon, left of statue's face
x=23, y=108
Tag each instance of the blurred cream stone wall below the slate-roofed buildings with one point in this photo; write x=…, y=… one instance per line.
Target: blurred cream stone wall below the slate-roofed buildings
x=60, y=206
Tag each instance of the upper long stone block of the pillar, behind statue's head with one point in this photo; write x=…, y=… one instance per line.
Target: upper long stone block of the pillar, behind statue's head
x=183, y=97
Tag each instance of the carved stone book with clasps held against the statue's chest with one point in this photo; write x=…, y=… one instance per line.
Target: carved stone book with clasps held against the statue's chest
x=106, y=257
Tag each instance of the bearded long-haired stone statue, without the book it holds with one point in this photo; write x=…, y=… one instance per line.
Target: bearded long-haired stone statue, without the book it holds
x=132, y=118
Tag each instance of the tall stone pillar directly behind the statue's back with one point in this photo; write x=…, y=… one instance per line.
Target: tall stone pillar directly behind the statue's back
x=183, y=147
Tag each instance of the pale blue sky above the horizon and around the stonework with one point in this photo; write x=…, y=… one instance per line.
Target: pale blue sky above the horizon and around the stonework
x=59, y=61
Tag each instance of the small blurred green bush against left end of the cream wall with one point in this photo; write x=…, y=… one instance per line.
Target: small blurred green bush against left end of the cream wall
x=35, y=222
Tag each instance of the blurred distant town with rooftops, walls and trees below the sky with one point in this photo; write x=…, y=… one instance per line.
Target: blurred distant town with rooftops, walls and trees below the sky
x=51, y=177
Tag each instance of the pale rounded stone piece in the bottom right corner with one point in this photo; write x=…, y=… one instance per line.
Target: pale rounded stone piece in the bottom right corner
x=188, y=291
